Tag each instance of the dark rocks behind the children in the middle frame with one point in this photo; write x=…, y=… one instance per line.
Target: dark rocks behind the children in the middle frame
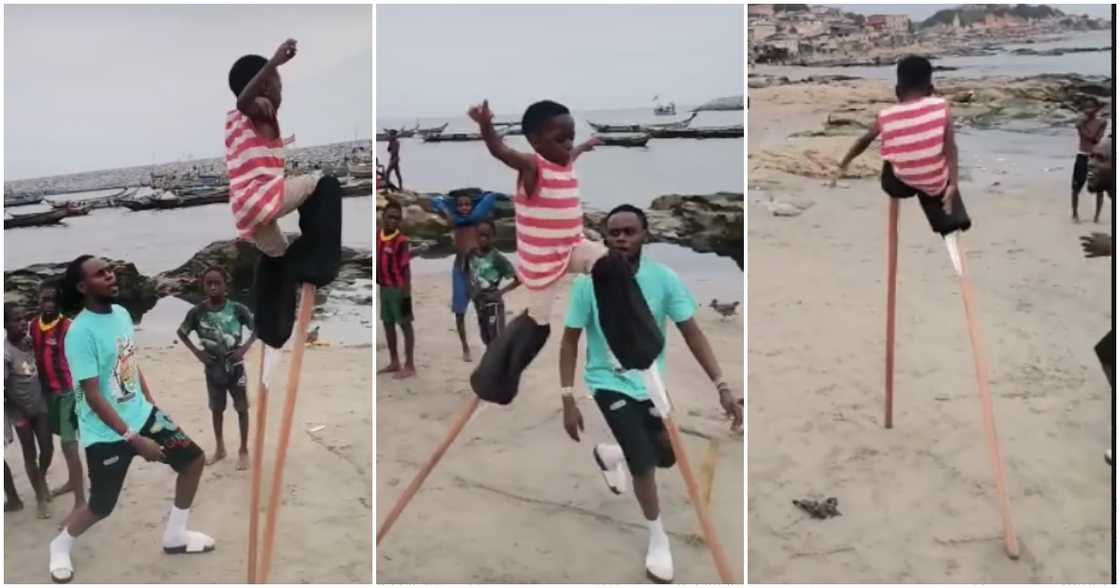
x=705, y=223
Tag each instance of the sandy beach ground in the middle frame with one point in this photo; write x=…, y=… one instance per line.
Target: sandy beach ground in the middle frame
x=517, y=501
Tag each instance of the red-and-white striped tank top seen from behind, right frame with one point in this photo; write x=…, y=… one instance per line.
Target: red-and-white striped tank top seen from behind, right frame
x=914, y=143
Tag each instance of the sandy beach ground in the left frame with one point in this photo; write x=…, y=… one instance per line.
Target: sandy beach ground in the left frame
x=323, y=534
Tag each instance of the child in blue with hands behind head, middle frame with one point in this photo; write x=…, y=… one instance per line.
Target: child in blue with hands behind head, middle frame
x=465, y=218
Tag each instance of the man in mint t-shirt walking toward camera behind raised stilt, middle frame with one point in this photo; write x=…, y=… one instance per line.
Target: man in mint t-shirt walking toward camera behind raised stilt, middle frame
x=643, y=444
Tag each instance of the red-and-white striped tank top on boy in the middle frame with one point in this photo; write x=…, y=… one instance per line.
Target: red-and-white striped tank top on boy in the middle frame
x=549, y=223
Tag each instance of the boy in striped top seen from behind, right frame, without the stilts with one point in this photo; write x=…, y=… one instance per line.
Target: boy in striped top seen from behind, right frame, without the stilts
x=919, y=148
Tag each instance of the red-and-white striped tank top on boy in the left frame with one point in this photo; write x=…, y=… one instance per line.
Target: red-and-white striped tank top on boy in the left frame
x=256, y=169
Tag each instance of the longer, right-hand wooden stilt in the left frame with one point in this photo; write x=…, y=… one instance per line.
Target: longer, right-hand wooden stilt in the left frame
x=306, y=305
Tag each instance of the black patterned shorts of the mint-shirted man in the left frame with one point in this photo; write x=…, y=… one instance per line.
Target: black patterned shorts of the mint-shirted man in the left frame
x=109, y=463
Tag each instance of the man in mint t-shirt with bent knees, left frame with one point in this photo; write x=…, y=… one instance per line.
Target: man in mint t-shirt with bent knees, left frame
x=118, y=419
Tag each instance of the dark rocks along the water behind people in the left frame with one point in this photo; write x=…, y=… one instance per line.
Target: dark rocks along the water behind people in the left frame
x=139, y=294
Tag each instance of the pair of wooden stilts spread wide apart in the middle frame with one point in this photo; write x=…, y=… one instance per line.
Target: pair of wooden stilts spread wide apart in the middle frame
x=661, y=399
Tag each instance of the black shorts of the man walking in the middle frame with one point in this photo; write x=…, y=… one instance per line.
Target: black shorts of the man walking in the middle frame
x=639, y=431
